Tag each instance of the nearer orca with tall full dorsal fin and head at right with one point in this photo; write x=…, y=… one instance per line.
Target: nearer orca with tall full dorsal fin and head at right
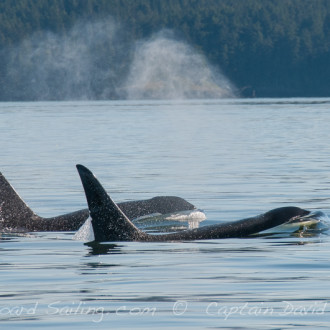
x=111, y=224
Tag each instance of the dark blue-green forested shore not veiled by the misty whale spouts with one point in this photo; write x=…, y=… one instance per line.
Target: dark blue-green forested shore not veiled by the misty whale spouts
x=266, y=47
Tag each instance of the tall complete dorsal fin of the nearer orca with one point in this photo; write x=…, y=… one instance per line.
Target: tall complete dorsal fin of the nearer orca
x=108, y=221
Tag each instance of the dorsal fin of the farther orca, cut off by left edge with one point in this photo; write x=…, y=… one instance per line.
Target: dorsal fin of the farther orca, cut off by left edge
x=14, y=212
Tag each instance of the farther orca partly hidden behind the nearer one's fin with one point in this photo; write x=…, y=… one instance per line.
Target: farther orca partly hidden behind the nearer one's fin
x=17, y=216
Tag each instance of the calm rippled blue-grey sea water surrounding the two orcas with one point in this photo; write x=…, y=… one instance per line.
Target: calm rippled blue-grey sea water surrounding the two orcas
x=231, y=158
